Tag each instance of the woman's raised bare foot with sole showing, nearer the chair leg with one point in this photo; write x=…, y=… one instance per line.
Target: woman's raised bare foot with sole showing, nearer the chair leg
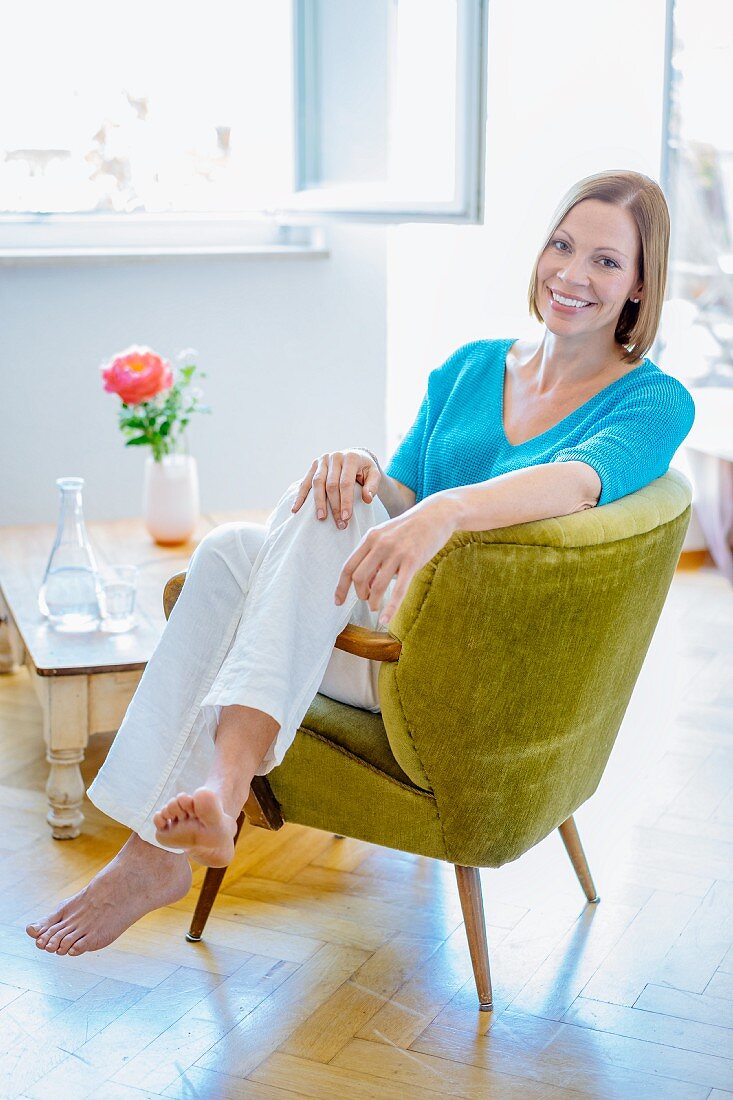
x=200, y=824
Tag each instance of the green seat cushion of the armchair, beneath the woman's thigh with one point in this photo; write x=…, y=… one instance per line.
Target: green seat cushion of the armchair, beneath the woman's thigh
x=359, y=732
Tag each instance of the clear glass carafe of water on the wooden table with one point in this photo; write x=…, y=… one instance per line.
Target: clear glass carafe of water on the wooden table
x=70, y=593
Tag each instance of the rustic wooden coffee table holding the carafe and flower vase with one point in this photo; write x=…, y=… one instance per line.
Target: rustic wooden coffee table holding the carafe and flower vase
x=85, y=681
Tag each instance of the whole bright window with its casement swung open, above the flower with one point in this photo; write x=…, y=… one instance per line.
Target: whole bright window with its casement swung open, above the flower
x=231, y=127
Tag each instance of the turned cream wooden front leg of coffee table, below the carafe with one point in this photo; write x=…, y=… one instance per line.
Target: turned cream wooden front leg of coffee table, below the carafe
x=65, y=713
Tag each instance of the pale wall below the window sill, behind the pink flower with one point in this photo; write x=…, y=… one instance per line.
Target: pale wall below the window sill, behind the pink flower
x=294, y=349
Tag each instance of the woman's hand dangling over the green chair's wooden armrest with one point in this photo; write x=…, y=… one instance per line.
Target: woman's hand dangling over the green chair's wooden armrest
x=398, y=547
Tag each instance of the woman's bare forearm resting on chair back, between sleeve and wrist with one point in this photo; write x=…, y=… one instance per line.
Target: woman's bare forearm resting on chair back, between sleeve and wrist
x=541, y=492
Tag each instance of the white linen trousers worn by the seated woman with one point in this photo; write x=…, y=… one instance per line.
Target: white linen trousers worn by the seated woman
x=256, y=625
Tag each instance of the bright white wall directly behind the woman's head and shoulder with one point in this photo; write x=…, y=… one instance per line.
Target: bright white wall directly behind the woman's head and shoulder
x=571, y=92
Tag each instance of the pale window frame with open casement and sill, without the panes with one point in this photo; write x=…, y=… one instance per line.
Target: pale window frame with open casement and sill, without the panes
x=296, y=228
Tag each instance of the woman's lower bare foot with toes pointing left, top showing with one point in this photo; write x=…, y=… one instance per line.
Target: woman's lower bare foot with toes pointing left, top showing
x=139, y=879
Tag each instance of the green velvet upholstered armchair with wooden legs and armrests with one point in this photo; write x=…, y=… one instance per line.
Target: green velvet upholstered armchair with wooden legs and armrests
x=507, y=674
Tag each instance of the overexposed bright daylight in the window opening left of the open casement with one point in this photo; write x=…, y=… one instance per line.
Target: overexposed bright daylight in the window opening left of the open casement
x=147, y=108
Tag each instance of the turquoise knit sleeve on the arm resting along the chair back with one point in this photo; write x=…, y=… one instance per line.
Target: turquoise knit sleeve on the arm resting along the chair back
x=636, y=442
